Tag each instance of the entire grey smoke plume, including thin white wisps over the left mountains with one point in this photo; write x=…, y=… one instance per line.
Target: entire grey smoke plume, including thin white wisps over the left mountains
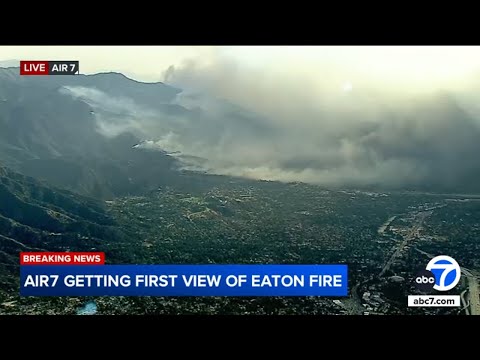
x=241, y=121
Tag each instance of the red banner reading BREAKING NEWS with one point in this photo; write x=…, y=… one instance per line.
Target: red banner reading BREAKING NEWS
x=62, y=258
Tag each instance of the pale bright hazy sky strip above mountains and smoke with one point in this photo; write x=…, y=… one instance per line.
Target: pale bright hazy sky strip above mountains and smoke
x=395, y=67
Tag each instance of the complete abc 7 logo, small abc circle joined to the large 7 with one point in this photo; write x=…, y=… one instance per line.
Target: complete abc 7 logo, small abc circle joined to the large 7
x=442, y=274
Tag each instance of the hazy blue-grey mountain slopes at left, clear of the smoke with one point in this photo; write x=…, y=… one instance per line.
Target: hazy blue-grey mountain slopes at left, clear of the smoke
x=50, y=135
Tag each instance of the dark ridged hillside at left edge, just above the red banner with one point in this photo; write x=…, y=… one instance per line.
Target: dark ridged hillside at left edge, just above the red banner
x=38, y=217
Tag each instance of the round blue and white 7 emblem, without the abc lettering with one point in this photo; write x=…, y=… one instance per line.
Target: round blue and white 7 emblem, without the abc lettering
x=447, y=272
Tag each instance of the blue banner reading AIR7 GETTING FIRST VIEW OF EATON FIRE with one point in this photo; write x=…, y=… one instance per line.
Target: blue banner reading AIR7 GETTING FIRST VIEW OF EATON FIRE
x=184, y=280
